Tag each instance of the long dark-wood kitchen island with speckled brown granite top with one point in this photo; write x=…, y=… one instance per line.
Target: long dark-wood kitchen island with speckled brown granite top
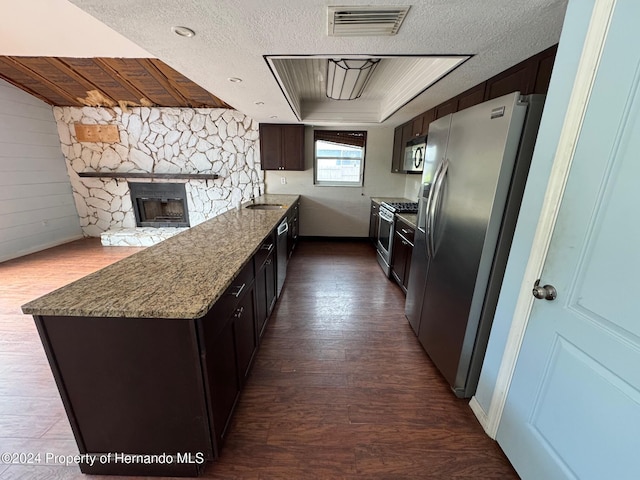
x=150, y=354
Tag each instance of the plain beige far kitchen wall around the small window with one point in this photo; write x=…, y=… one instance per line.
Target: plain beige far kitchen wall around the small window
x=341, y=211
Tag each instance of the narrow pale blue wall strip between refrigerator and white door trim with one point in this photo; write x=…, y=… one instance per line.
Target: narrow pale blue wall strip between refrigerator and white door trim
x=564, y=71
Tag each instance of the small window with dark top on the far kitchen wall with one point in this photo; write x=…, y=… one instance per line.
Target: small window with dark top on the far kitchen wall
x=339, y=157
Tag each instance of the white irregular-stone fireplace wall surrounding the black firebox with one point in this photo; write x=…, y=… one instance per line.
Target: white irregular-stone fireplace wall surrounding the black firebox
x=196, y=142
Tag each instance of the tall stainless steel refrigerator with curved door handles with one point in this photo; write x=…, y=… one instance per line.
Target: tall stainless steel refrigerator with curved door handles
x=476, y=165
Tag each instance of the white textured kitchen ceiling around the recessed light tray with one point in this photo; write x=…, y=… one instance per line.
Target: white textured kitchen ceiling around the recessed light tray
x=234, y=37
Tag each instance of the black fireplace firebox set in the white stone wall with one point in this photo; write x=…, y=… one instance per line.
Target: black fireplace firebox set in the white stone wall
x=159, y=204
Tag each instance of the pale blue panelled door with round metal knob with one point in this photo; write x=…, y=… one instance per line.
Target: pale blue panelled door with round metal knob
x=573, y=408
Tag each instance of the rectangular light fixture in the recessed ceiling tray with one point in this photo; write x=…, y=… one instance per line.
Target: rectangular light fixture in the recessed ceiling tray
x=346, y=78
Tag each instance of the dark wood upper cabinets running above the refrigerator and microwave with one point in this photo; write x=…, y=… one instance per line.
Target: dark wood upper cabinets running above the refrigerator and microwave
x=530, y=76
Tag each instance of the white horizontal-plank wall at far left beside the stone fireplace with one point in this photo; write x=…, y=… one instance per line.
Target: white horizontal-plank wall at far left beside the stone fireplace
x=37, y=210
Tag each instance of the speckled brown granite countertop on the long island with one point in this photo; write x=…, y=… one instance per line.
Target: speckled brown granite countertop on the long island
x=181, y=277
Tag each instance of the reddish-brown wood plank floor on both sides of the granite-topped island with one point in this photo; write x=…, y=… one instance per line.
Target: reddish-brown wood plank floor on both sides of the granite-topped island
x=340, y=388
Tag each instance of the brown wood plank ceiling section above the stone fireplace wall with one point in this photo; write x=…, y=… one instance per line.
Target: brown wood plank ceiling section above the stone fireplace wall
x=105, y=82
